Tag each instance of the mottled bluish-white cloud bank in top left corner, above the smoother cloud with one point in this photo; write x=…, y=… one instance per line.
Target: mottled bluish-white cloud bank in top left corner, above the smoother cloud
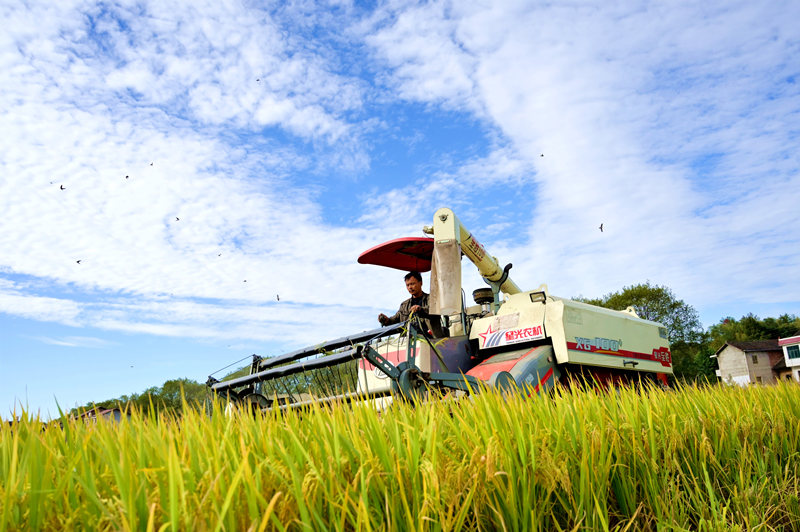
x=221, y=71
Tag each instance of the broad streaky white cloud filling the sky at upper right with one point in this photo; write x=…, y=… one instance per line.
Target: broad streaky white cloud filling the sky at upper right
x=621, y=102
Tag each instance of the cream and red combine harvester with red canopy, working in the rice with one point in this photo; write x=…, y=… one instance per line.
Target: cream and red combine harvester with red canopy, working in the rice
x=525, y=340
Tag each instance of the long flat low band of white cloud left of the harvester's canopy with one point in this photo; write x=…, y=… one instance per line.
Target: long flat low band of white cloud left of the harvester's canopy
x=278, y=322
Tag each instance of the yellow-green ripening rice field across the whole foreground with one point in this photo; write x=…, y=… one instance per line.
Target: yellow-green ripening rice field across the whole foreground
x=715, y=458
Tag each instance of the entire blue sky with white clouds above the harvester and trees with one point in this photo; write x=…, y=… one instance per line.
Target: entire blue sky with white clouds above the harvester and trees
x=272, y=143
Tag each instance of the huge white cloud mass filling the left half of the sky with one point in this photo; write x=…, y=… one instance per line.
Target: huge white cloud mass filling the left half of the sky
x=154, y=206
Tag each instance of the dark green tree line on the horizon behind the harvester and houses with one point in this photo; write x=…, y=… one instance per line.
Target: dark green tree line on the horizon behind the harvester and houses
x=691, y=345
